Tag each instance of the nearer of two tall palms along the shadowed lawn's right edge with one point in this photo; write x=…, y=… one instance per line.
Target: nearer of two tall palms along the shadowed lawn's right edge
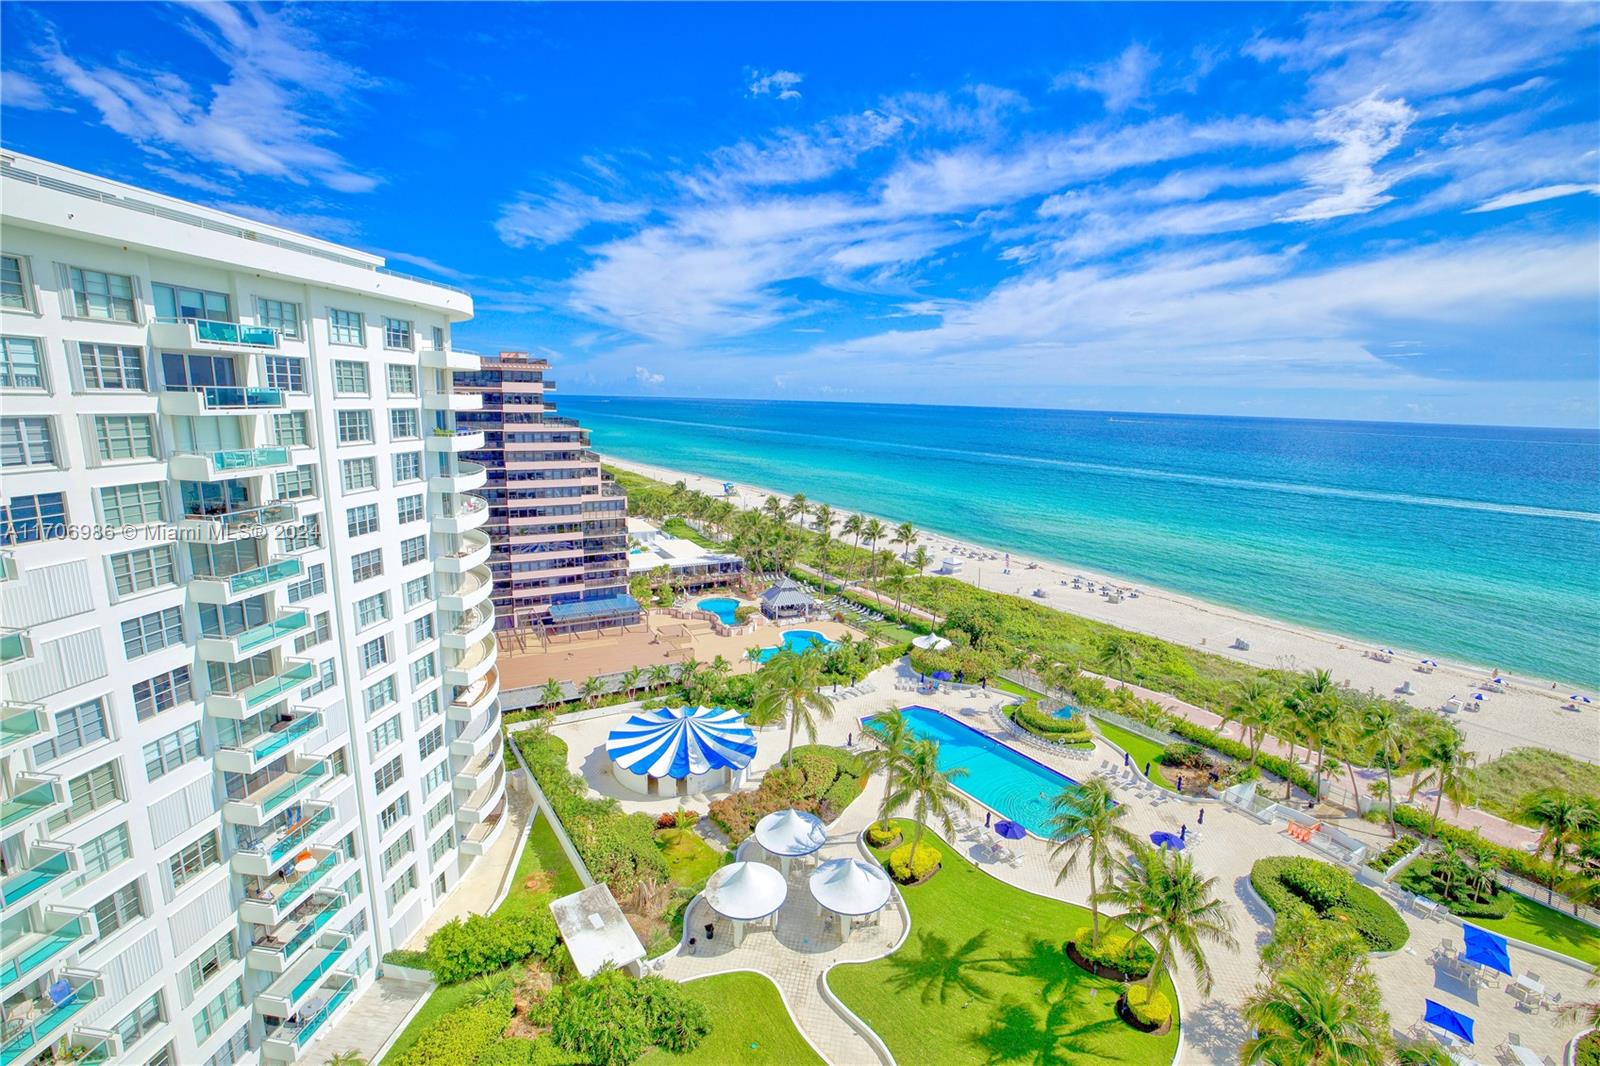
x=1167, y=900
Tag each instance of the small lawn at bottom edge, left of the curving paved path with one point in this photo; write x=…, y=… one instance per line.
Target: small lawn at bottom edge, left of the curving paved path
x=750, y=1027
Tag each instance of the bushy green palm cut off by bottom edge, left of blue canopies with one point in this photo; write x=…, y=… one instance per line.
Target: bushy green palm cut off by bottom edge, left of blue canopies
x=1306, y=1020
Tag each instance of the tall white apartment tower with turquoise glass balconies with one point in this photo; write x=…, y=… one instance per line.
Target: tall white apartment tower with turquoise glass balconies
x=250, y=705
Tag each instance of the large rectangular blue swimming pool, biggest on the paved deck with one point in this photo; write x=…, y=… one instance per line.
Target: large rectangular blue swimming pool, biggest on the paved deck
x=1001, y=779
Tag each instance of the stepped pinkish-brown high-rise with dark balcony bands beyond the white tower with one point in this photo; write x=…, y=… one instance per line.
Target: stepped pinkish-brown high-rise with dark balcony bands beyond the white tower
x=558, y=524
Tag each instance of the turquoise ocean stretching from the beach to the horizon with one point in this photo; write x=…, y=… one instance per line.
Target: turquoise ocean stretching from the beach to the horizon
x=1463, y=542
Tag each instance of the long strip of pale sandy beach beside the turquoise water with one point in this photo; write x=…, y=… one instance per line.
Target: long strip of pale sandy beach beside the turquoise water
x=1521, y=713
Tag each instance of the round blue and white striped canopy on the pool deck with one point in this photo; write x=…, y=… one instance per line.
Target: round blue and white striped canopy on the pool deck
x=681, y=742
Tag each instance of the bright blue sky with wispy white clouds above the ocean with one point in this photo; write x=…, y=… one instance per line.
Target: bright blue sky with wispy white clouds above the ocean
x=1351, y=212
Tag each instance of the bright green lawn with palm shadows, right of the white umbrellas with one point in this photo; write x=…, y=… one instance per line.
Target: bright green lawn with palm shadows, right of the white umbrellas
x=975, y=982
